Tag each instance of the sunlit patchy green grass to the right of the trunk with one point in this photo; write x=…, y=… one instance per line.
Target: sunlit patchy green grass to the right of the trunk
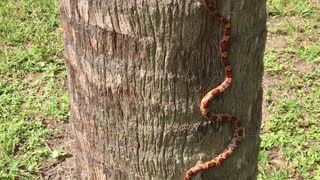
x=290, y=147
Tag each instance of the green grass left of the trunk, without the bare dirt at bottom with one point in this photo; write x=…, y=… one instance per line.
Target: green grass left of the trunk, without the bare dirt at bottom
x=32, y=92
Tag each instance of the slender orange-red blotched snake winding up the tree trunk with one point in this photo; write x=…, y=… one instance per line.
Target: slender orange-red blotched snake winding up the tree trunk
x=207, y=99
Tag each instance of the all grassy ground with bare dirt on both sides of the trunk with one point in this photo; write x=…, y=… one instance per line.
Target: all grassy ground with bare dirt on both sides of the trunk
x=34, y=132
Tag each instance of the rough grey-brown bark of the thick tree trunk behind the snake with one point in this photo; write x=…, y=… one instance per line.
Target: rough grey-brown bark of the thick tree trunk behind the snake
x=137, y=70
